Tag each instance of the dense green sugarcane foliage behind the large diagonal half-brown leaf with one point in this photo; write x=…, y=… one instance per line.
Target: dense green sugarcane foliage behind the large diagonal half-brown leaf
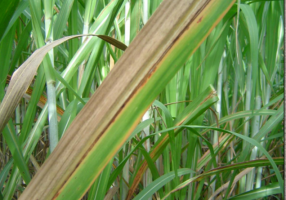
x=217, y=149
